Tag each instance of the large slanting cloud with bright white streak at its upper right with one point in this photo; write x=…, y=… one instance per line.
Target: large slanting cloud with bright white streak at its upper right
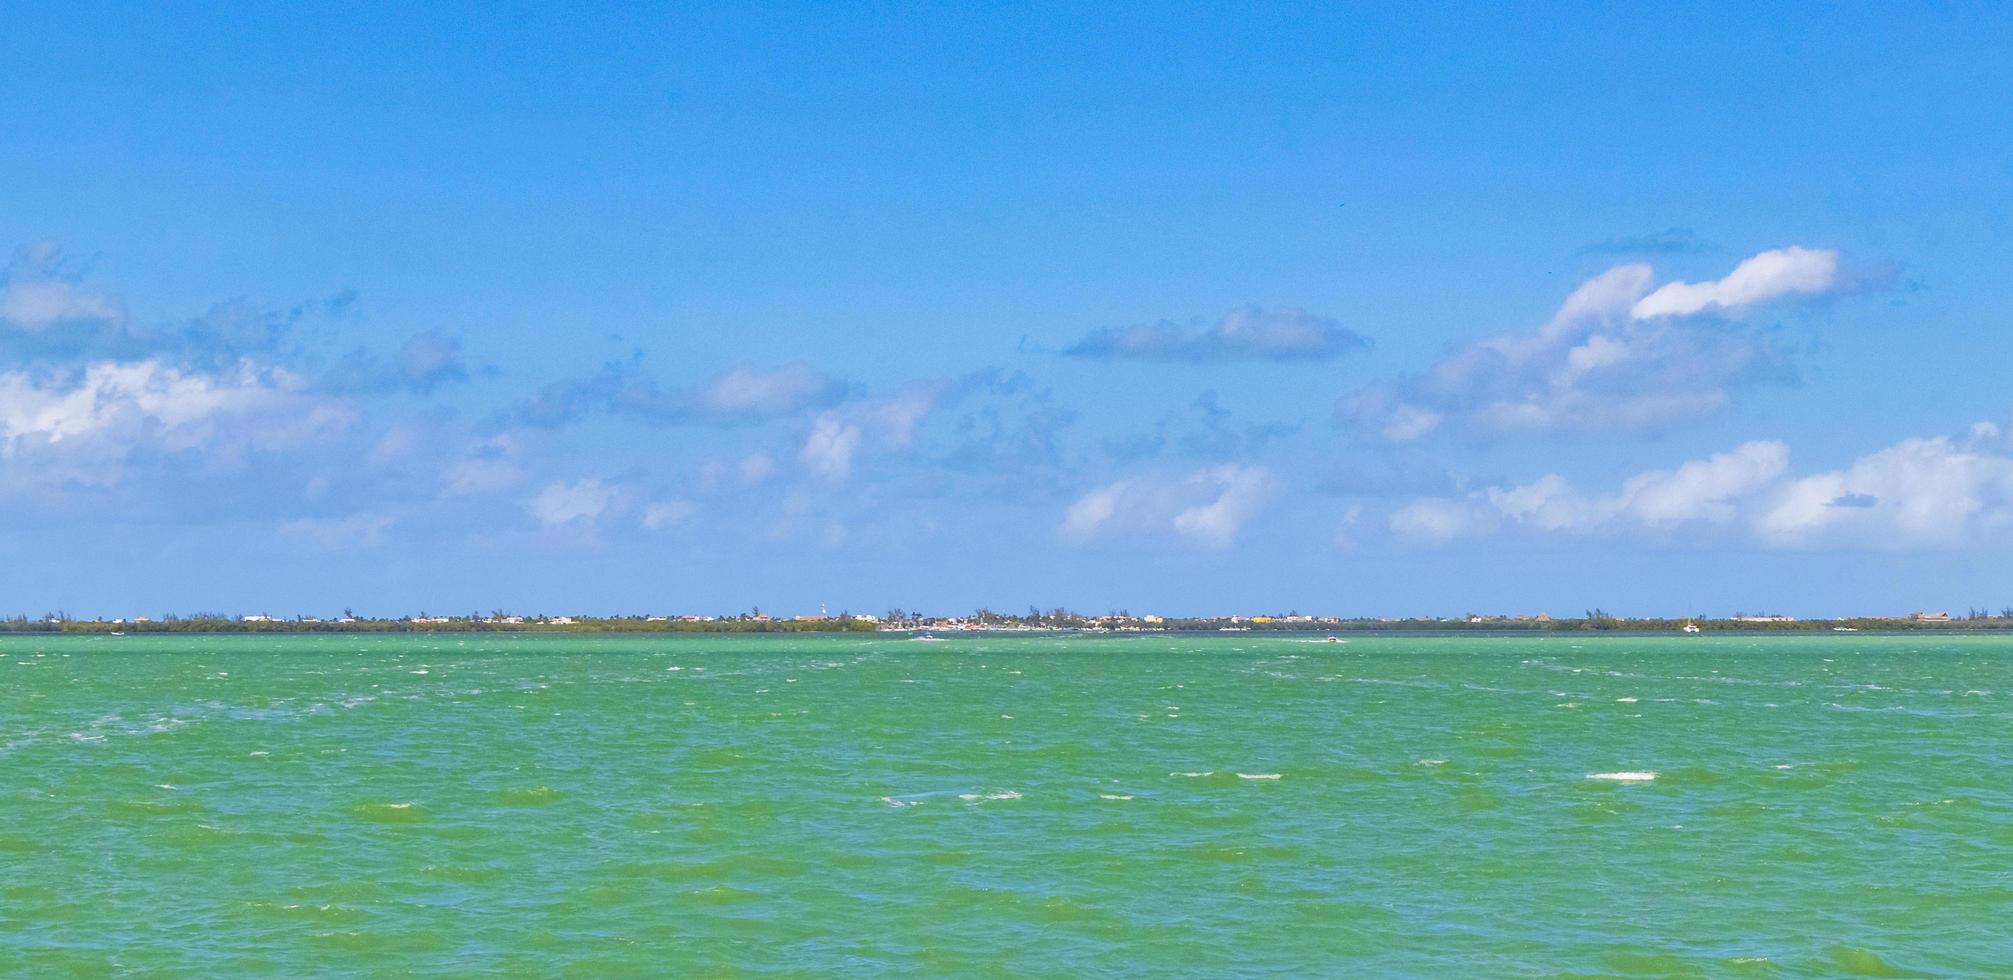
x=1619, y=355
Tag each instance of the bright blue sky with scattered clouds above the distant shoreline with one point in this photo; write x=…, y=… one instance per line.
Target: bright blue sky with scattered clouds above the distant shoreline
x=1366, y=311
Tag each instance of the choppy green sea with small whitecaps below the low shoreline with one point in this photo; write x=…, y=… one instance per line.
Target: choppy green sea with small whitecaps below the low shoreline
x=573, y=806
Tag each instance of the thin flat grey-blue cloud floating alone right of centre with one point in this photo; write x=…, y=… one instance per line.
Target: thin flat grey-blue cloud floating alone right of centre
x=1241, y=335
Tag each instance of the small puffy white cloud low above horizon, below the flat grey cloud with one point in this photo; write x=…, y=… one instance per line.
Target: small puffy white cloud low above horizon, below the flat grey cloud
x=1207, y=508
